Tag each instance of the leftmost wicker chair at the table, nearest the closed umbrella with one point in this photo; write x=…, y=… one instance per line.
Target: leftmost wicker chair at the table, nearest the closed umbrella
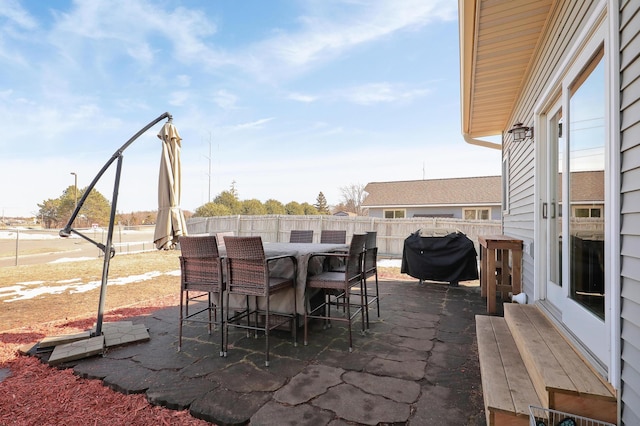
x=201, y=273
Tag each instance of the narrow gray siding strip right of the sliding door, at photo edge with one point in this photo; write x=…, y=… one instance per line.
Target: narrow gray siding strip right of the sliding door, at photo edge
x=630, y=210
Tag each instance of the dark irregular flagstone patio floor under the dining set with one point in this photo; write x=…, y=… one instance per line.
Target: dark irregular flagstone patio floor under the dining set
x=417, y=365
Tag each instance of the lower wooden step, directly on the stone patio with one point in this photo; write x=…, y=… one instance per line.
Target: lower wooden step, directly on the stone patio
x=506, y=387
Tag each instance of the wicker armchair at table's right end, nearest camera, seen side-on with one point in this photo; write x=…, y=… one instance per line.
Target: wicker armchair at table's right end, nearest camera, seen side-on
x=338, y=285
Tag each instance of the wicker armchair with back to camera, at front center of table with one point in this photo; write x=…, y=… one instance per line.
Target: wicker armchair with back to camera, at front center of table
x=248, y=275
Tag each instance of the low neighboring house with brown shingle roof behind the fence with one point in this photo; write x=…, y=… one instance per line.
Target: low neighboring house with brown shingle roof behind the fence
x=462, y=198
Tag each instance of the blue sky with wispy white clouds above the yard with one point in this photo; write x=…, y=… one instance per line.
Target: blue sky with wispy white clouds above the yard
x=282, y=99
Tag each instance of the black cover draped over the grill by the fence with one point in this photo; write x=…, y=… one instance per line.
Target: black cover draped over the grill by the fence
x=451, y=258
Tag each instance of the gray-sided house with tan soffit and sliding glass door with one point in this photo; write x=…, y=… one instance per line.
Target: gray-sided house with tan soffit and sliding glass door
x=569, y=69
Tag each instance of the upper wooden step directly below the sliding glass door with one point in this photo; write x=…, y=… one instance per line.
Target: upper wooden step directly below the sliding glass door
x=561, y=377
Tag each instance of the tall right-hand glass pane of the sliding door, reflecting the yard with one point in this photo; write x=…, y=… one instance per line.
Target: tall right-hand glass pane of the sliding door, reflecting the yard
x=586, y=187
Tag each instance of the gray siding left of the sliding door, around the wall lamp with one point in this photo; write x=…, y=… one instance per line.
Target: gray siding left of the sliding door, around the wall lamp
x=568, y=19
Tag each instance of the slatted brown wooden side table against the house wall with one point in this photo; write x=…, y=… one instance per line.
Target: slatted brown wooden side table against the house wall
x=496, y=273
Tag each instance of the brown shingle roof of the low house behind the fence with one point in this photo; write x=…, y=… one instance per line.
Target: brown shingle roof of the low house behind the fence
x=465, y=191
